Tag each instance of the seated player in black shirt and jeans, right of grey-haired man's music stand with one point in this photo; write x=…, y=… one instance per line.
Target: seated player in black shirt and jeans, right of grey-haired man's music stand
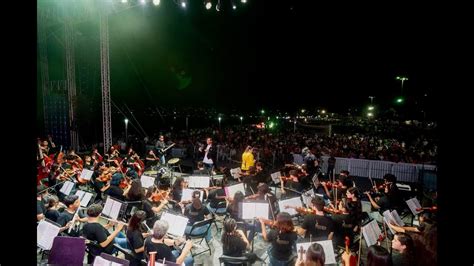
x=196, y=212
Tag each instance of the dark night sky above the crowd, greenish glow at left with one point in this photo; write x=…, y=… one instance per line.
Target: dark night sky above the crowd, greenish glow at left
x=330, y=57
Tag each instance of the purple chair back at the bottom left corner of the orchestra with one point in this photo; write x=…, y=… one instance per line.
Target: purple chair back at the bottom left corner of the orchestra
x=67, y=251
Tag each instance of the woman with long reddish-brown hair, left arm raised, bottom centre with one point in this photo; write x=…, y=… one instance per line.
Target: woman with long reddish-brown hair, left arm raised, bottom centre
x=283, y=240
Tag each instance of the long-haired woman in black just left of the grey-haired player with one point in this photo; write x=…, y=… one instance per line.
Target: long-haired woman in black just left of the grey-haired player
x=136, y=234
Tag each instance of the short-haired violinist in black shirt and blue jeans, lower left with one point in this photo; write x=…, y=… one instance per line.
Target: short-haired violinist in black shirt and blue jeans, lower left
x=95, y=231
